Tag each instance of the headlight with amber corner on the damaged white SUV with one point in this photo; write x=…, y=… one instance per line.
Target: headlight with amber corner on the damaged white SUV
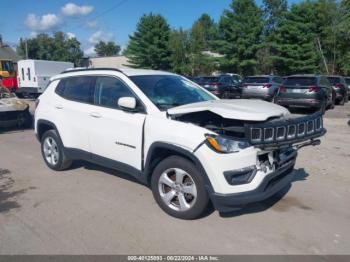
x=226, y=145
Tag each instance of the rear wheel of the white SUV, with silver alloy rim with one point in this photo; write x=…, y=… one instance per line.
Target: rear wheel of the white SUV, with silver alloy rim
x=50, y=142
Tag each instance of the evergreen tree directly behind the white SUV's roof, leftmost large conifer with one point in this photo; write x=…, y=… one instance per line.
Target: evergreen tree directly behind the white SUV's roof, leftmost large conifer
x=149, y=45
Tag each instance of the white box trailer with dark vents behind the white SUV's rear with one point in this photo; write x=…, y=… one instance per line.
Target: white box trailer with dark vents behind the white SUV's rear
x=34, y=75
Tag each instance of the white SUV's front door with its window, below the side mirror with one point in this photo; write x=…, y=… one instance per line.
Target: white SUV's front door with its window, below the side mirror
x=115, y=134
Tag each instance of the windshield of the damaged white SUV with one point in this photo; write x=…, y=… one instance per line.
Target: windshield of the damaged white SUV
x=167, y=91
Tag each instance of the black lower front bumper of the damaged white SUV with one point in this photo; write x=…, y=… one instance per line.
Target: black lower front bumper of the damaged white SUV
x=272, y=184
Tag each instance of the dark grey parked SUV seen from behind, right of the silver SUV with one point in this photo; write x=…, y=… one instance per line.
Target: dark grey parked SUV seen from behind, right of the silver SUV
x=308, y=91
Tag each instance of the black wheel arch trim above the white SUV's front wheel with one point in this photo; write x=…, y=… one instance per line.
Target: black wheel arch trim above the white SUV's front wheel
x=159, y=154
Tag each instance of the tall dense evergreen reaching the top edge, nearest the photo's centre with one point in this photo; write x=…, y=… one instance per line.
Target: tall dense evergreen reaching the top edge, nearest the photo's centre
x=240, y=30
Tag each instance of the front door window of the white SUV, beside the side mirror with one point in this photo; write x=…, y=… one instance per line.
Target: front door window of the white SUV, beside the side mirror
x=108, y=90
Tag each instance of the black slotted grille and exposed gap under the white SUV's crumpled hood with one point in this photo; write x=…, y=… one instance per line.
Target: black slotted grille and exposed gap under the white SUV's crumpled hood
x=274, y=133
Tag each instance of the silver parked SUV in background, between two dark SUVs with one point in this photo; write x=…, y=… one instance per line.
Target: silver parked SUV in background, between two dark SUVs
x=263, y=87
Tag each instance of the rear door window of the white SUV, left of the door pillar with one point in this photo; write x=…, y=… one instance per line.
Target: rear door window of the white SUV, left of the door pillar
x=78, y=89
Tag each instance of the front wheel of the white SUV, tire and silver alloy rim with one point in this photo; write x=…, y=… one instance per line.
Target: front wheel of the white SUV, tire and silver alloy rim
x=170, y=179
